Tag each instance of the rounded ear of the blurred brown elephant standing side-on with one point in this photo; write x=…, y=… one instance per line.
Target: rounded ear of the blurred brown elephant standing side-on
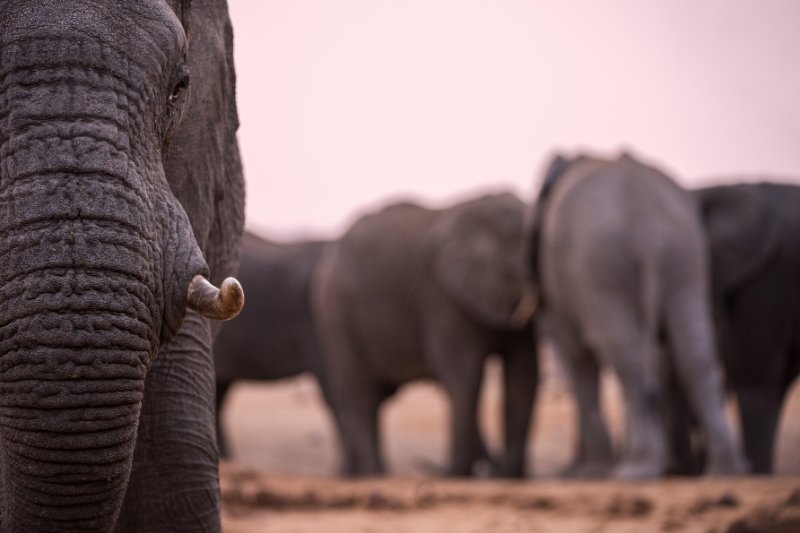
x=480, y=266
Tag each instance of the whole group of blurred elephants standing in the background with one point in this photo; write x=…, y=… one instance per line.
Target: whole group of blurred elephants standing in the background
x=683, y=294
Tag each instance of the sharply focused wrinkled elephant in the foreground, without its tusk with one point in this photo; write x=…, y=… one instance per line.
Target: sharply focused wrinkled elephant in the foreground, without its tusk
x=107, y=409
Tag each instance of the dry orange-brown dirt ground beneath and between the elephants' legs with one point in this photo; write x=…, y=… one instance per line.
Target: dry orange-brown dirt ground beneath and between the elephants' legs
x=282, y=478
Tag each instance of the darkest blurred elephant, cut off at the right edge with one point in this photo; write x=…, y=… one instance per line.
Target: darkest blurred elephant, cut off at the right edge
x=754, y=241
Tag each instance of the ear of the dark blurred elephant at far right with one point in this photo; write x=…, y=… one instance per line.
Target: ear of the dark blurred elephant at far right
x=742, y=230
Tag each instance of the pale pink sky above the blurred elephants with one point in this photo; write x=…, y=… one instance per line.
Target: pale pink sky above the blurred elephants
x=345, y=104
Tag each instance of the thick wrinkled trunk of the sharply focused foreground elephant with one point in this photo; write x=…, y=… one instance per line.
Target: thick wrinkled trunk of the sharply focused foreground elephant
x=80, y=319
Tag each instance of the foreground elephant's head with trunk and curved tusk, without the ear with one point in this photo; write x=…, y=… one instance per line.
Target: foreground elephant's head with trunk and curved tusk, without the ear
x=98, y=259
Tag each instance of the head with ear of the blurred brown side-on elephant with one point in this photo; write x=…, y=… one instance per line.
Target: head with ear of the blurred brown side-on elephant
x=479, y=259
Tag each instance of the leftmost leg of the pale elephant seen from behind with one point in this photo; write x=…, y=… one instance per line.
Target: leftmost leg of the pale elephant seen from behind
x=593, y=456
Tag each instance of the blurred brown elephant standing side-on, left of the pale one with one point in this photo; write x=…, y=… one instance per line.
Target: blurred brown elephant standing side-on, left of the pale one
x=411, y=293
